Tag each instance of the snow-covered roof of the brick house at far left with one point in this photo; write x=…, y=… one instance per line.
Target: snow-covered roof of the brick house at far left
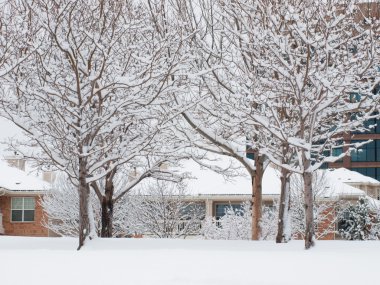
x=13, y=179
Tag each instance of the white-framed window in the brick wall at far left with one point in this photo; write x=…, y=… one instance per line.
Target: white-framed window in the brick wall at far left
x=23, y=209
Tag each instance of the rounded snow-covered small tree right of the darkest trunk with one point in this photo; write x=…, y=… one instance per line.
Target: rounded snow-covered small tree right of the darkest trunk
x=160, y=209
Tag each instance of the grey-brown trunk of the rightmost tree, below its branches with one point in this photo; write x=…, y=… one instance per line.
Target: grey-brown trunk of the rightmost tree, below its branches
x=309, y=214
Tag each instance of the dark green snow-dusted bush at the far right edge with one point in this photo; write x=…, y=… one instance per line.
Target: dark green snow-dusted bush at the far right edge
x=359, y=221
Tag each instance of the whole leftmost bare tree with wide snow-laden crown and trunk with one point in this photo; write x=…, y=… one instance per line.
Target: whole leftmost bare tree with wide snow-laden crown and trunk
x=85, y=96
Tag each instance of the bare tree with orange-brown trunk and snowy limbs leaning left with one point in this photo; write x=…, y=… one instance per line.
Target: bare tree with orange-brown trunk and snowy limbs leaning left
x=209, y=123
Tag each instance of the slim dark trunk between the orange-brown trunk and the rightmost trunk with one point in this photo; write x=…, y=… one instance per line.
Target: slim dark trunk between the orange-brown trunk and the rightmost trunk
x=283, y=231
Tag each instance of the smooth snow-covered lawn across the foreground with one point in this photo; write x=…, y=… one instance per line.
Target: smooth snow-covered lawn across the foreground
x=46, y=261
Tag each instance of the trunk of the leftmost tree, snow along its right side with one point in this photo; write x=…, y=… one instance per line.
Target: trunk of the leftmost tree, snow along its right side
x=84, y=199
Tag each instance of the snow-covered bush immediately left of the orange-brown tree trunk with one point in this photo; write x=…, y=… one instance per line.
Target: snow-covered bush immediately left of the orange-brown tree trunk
x=236, y=224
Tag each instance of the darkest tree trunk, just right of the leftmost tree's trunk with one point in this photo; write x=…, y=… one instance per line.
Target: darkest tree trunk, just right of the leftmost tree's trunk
x=107, y=210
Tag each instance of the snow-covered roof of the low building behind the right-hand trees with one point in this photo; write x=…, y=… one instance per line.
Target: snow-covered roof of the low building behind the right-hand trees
x=207, y=182
